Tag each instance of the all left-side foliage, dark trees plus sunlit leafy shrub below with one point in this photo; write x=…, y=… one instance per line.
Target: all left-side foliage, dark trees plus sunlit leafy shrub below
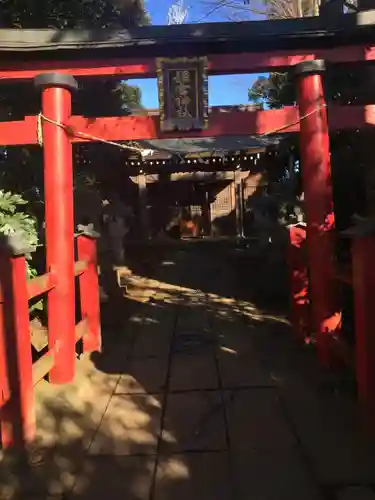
x=21, y=169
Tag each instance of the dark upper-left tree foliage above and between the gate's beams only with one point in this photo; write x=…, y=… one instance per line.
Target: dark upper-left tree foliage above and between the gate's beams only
x=96, y=98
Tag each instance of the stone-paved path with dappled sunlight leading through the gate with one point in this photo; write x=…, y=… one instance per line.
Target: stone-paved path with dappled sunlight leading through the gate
x=203, y=397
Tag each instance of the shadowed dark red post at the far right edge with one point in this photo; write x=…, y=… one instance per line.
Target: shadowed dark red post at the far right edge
x=364, y=287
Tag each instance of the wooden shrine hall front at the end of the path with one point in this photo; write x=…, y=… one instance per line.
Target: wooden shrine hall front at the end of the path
x=206, y=199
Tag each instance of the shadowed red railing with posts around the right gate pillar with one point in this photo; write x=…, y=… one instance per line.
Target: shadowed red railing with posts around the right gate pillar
x=360, y=274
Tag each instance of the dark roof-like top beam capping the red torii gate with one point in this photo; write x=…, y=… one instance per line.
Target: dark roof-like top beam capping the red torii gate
x=192, y=39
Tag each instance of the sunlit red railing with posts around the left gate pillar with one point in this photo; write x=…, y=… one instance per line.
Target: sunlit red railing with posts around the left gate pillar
x=18, y=373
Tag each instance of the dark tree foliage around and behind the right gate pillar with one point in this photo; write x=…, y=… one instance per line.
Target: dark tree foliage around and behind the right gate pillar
x=344, y=86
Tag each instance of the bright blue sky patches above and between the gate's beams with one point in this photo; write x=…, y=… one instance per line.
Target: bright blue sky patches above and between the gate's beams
x=223, y=90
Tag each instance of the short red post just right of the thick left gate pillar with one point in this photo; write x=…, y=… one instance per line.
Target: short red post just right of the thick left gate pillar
x=89, y=291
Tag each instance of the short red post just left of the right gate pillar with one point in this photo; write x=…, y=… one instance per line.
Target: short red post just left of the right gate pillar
x=299, y=284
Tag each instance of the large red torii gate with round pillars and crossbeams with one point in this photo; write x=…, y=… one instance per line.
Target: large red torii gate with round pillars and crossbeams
x=56, y=129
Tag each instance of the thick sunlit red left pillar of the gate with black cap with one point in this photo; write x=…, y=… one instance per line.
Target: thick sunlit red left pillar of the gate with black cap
x=58, y=182
